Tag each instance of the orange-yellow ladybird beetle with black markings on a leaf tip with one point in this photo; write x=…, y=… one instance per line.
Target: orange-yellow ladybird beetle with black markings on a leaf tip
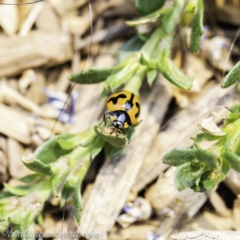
x=124, y=109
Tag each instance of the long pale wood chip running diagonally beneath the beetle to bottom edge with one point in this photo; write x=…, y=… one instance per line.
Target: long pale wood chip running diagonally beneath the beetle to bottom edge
x=117, y=176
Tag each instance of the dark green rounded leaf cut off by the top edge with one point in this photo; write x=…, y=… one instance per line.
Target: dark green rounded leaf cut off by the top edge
x=148, y=6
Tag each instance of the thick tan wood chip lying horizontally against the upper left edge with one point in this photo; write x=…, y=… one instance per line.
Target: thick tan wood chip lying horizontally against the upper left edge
x=36, y=49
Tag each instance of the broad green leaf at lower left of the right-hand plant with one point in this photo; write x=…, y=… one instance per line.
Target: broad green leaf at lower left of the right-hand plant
x=188, y=174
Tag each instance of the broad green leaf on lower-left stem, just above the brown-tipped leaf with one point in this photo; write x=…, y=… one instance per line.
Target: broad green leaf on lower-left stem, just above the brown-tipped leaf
x=50, y=150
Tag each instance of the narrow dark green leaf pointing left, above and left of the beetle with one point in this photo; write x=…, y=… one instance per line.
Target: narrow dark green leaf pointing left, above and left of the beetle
x=93, y=75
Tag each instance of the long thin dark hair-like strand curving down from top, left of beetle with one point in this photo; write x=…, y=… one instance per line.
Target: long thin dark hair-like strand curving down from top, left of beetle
x=86, y=59
